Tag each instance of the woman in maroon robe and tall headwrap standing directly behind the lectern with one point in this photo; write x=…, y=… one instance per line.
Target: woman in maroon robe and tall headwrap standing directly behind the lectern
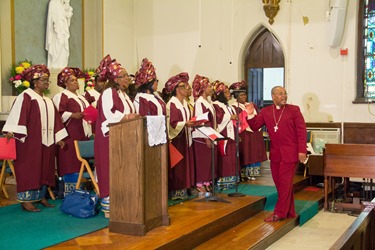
x=113, y=106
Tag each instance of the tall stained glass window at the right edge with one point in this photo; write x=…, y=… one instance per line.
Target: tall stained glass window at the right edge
x=369, y=48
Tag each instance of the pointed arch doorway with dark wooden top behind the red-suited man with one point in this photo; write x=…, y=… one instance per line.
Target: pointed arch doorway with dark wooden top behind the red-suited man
x=264, y=66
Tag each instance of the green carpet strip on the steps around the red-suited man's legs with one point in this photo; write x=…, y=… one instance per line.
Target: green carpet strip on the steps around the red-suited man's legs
x=305, y=209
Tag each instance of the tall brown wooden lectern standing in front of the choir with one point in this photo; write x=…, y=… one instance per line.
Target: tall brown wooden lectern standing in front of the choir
x=138, y=180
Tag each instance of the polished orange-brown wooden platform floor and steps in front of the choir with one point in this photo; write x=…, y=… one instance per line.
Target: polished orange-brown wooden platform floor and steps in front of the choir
x=201, y=225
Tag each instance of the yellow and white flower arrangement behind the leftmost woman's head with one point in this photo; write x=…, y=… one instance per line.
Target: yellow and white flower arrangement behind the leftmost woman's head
x=16, y=79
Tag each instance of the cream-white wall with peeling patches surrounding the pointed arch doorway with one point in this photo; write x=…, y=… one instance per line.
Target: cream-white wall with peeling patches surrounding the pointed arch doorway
x=318, y=79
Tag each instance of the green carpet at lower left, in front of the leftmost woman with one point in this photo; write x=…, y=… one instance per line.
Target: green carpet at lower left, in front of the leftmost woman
x=24, y=230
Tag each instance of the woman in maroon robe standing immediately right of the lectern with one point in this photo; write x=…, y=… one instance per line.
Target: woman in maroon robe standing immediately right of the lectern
x=180, y=175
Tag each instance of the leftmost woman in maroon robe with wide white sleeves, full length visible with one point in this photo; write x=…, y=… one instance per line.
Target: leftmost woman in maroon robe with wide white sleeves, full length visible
x=37, y=127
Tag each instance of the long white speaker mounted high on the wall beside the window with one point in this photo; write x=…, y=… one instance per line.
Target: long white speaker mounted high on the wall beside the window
x=336, y=21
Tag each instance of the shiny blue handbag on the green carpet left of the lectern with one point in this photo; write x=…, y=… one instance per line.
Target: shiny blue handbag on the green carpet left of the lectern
x=80, y=204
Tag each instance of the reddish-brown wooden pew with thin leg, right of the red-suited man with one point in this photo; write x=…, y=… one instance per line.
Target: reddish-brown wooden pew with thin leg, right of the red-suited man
x=347, y=160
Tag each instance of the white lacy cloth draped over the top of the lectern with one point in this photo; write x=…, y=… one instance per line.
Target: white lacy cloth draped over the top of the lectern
x=156, y=130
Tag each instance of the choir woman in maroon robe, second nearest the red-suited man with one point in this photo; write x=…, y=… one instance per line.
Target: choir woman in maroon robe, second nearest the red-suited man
x=225, y=115
